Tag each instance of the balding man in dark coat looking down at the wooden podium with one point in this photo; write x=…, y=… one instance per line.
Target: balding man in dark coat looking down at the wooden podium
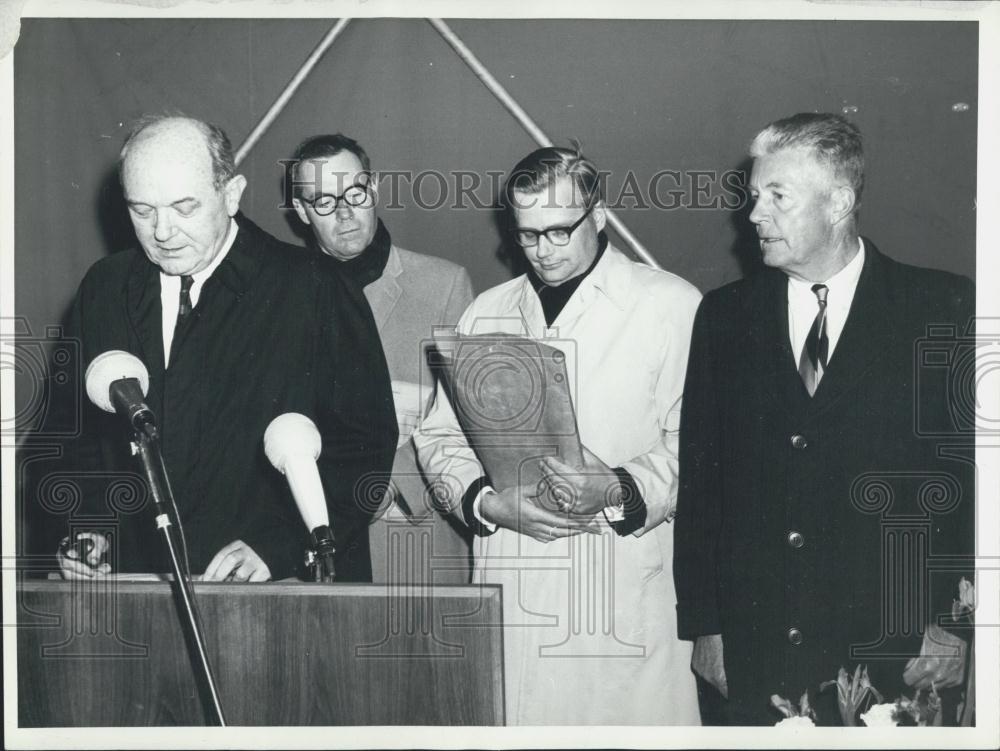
x=235, y=328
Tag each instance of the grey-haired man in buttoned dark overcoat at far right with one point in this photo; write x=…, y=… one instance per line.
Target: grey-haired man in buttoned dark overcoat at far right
x=812, y=513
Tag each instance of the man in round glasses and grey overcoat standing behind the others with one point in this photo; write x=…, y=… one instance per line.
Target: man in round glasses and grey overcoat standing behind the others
x=335, y=194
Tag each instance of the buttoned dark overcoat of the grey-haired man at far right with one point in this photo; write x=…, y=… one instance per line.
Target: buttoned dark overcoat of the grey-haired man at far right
x=852, y=471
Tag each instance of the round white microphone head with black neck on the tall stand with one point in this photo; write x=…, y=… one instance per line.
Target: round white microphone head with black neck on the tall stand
x=117, y=381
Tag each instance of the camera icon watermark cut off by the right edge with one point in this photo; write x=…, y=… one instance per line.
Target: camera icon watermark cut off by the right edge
x=950, y=365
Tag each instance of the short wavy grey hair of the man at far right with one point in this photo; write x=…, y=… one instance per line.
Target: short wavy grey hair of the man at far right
x=832, y=139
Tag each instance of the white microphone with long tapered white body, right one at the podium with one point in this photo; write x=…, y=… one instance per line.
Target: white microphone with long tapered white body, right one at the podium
x=292, y=444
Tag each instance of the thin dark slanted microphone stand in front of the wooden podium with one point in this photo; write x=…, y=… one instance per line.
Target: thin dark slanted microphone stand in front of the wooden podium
x=148, y=446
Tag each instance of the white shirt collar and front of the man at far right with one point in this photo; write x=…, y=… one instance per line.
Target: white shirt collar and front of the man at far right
x=803, y=304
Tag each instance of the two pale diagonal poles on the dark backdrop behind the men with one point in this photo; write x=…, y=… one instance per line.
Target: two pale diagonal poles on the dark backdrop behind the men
x=488, y=80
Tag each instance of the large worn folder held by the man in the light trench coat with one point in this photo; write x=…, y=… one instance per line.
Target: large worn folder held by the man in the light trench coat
x=513, y=399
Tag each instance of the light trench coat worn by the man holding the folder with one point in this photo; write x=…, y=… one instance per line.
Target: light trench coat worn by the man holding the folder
x=589, y=622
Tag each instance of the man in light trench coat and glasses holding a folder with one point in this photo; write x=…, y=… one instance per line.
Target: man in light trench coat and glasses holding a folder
x=585, y=558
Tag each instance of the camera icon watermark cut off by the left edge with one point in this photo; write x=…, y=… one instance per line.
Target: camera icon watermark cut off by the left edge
x=47, y=371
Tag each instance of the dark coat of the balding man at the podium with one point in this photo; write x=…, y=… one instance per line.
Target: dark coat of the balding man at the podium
x=274, y=331
